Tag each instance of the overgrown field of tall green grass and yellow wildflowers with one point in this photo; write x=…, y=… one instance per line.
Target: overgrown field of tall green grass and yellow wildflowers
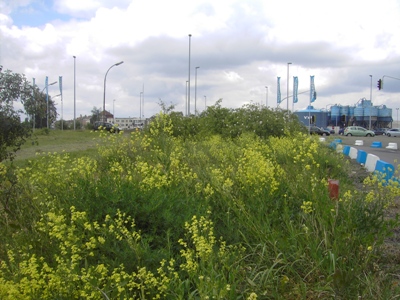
x=158, y=215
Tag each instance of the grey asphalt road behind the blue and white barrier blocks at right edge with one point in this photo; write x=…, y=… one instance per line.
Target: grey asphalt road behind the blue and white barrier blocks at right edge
x=388, y=155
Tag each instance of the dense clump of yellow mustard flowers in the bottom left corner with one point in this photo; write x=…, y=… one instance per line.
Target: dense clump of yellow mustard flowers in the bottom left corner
x=78, y=240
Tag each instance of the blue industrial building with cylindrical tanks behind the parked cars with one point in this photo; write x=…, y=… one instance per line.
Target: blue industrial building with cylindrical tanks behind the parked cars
x=363, y=113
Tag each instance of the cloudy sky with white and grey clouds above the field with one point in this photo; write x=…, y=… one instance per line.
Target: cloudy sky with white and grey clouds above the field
x=240, y=47
